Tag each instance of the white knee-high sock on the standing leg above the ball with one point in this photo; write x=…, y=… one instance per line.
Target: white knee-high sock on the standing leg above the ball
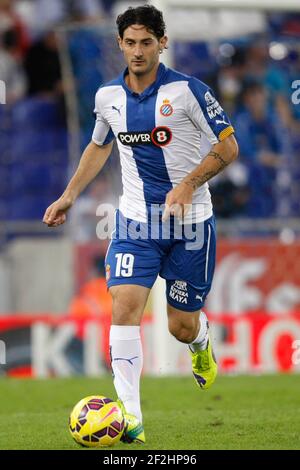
x=127, y=363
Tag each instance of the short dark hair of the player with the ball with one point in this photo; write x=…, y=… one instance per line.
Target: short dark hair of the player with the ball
x=146, y=15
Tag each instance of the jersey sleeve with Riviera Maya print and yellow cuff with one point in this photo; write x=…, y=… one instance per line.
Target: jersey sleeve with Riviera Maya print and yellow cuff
x=206, y=113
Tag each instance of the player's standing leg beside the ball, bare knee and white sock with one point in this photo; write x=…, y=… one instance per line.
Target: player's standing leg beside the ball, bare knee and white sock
x=129, y=301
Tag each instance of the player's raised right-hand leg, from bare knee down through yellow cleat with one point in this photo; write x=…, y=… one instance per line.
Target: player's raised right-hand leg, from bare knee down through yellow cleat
x=192, y=328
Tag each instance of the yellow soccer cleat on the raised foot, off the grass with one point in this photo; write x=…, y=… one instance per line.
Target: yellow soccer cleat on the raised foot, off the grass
x=204, y=365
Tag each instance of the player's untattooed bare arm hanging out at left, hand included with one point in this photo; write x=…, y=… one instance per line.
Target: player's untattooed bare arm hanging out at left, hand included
x=91, y=162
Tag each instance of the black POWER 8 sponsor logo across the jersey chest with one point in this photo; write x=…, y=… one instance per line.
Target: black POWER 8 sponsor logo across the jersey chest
x=159, y=136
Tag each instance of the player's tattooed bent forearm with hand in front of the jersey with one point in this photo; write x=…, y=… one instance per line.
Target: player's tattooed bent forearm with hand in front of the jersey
x=180, y=197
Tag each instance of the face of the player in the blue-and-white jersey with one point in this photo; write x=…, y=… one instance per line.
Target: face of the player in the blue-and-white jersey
x=141, y=49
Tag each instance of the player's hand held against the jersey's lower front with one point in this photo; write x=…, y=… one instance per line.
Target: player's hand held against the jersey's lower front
x=178, y=201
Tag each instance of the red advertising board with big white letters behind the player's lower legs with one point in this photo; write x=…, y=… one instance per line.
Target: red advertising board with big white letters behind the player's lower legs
x=47, y=346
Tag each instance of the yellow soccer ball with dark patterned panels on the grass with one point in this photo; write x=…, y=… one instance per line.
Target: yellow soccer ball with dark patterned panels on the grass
x=96, y=421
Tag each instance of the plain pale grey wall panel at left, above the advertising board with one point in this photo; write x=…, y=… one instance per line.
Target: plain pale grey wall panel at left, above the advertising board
x=24, y=289
